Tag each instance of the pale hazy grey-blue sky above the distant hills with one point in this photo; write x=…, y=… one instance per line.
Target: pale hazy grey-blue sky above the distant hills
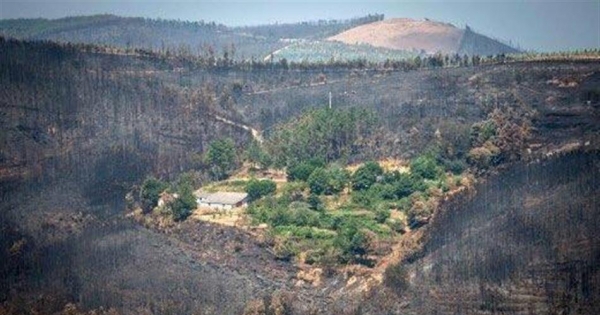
x=542, y=25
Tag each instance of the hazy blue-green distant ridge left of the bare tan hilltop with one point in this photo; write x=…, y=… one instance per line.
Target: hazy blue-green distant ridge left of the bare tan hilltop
x=196, y=38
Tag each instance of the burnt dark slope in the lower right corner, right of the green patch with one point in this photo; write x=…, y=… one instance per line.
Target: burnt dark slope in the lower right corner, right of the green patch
x=523, y=242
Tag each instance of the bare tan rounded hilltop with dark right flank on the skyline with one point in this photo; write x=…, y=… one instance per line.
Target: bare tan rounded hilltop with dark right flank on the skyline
x=424, y=36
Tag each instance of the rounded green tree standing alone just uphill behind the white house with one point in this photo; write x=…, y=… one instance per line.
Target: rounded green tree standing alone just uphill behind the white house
x=221, y=158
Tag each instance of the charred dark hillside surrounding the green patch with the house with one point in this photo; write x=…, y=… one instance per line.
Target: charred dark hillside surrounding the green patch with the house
x=80, y=126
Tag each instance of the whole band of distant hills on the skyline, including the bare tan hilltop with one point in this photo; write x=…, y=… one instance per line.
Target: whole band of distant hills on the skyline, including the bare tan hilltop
x=369, y=37
